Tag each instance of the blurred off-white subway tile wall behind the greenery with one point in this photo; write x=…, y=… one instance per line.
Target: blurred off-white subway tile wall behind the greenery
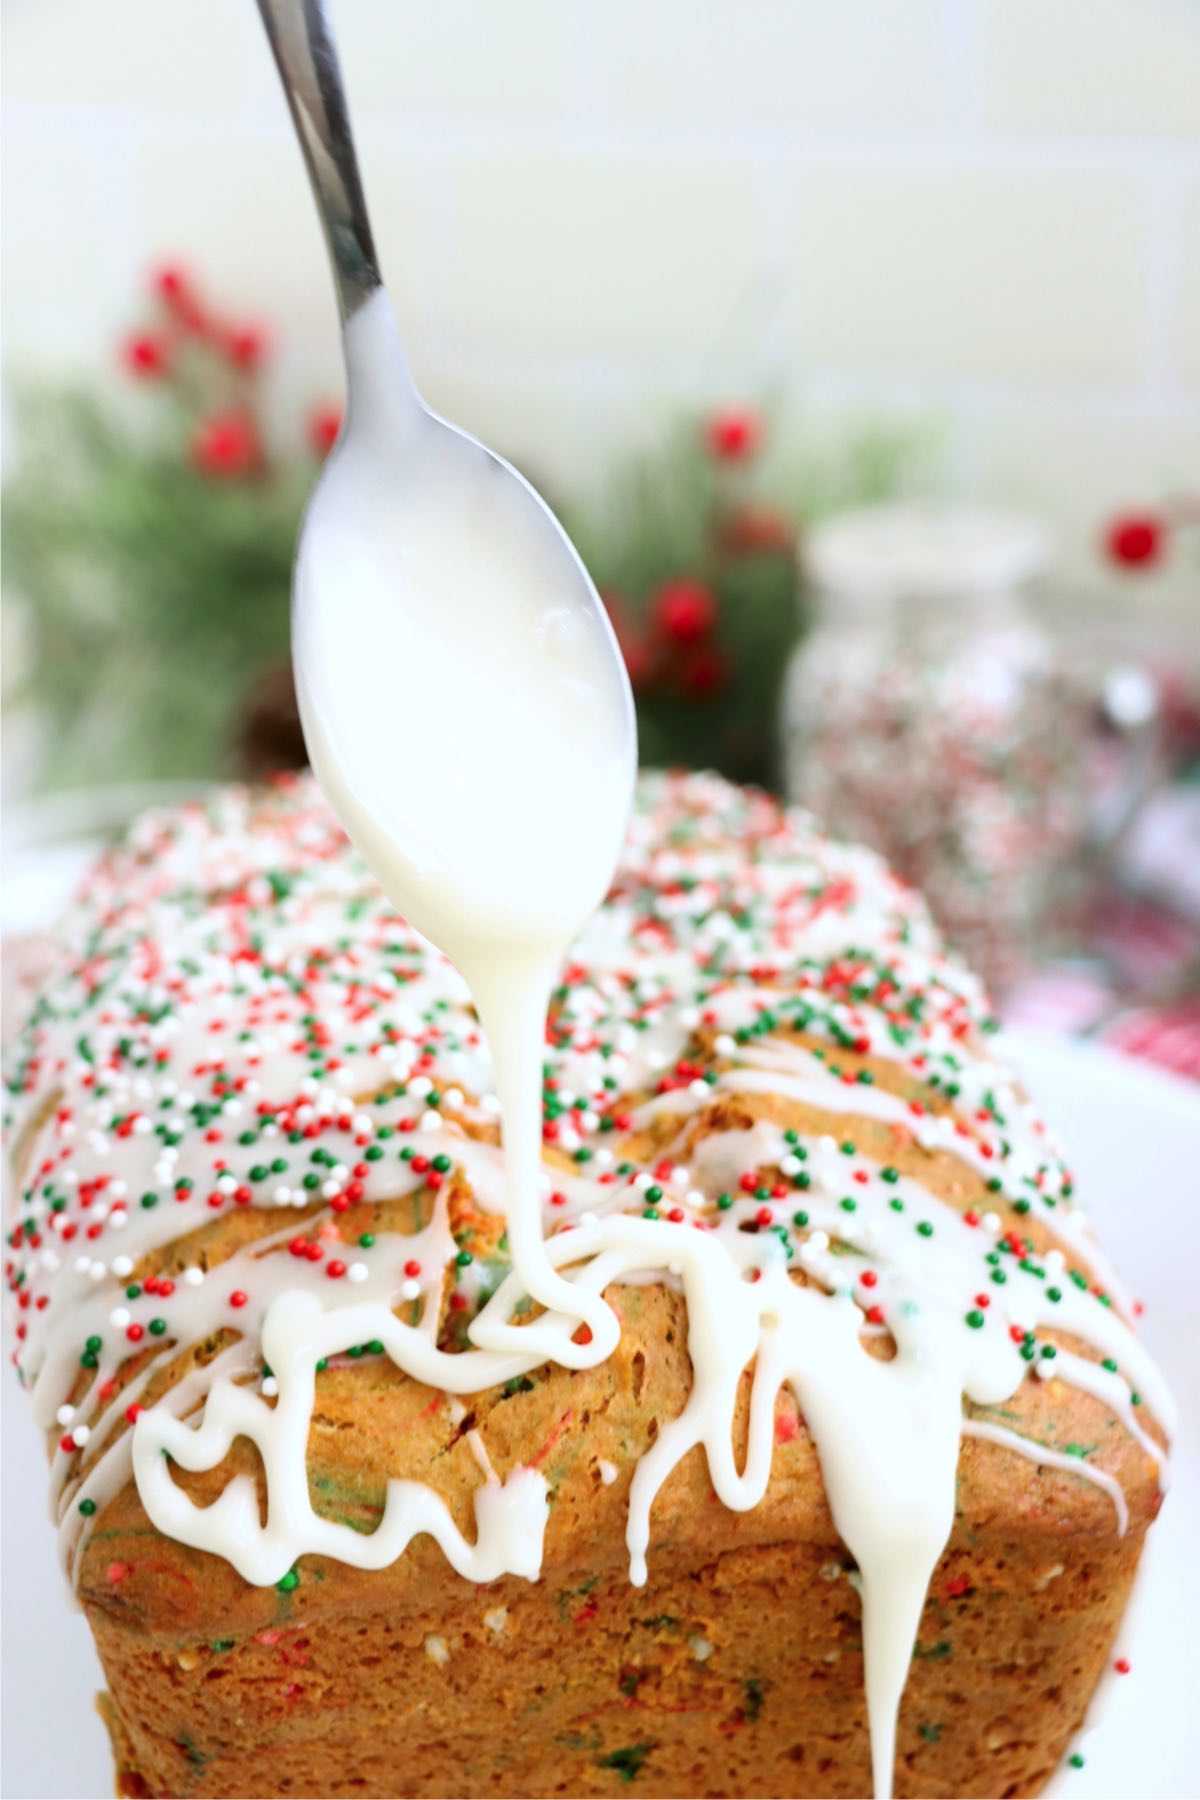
x=978, y=213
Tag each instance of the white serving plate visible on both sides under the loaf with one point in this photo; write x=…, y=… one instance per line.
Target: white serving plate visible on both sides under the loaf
x=1134, y=1137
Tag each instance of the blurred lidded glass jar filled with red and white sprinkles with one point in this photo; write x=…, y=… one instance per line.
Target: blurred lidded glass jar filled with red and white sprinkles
x=931, y=717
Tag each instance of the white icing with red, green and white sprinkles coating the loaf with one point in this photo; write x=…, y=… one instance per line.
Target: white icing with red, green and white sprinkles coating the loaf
x=240, y=1025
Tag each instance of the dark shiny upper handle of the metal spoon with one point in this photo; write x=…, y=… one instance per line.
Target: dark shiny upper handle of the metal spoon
x=309, y=66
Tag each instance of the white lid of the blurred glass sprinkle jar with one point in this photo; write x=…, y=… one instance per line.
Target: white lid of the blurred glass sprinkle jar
x=938, y=552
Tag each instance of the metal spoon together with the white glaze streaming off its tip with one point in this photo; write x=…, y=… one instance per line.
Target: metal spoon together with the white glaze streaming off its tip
x=429, y=568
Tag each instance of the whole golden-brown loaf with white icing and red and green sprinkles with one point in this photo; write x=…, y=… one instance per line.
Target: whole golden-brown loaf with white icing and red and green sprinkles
x=875, y=1453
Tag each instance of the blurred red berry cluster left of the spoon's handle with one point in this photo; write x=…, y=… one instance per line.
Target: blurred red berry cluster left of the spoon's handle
x=213, y=364
